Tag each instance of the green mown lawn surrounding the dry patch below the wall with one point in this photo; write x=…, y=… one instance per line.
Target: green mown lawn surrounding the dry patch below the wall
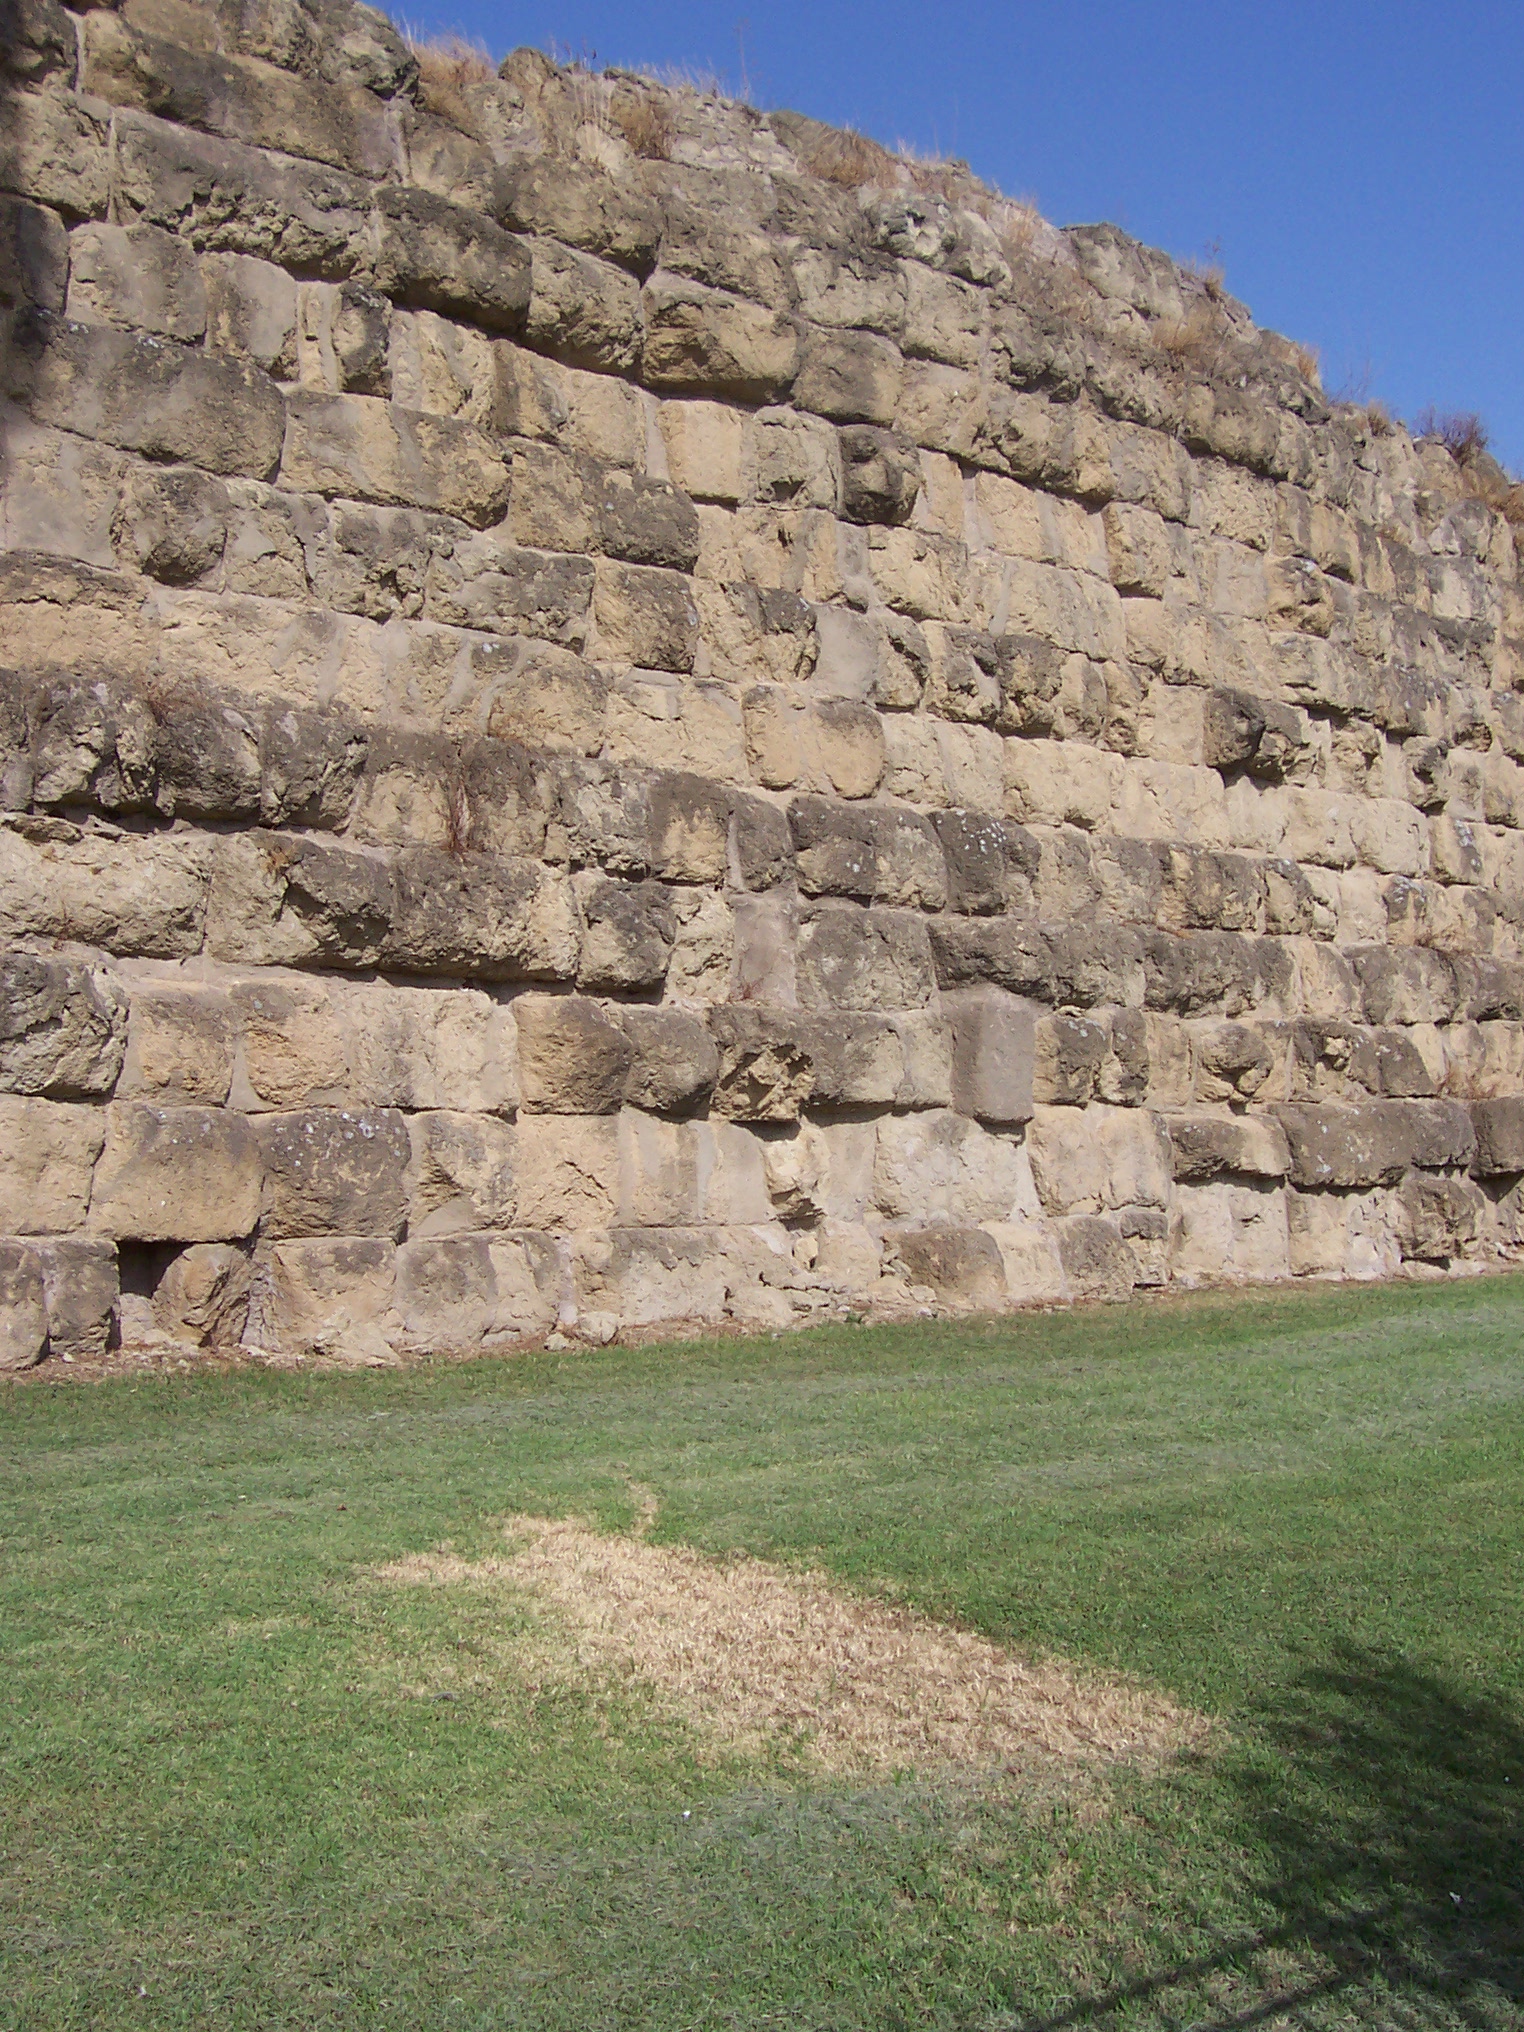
x=233, y=1793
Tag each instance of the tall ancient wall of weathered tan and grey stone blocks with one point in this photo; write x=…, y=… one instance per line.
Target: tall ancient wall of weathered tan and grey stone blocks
x=623, y=712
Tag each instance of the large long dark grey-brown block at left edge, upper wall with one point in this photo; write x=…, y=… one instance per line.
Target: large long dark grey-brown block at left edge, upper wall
x=164, y=401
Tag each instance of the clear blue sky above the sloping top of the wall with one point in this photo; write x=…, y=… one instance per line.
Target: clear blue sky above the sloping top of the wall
x=1356, y=168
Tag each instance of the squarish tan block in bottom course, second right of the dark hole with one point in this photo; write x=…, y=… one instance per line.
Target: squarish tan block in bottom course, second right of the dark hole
x=326, y=1295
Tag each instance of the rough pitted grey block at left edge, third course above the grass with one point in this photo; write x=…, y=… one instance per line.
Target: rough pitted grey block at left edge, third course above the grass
x=62, y=1027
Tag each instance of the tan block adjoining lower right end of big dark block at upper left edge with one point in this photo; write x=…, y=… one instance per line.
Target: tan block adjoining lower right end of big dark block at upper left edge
x=369, y=450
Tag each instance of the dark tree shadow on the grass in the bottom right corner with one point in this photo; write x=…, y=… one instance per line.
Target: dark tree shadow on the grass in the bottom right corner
x=1389, y=1836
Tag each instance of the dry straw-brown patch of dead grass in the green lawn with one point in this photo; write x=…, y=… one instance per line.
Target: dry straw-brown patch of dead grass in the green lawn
x=755, y=1657
